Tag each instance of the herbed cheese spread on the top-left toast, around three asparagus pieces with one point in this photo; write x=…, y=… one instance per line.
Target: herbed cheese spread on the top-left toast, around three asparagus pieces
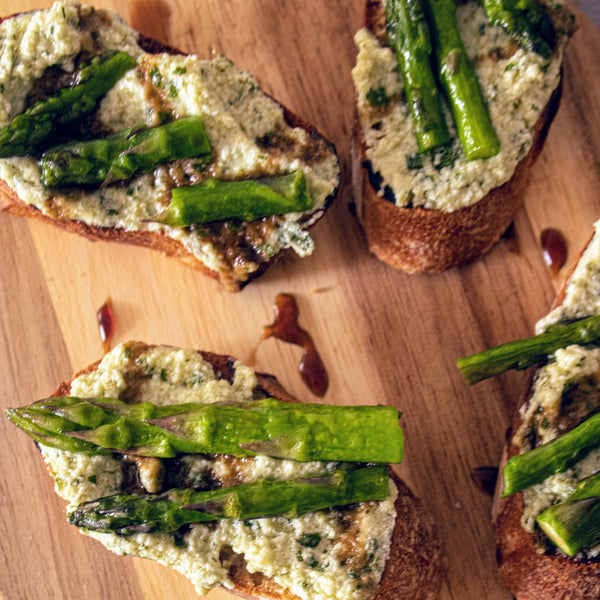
x=241, y=123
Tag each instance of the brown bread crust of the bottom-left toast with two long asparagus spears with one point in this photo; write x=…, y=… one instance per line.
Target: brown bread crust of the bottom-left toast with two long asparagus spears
x=416, y=563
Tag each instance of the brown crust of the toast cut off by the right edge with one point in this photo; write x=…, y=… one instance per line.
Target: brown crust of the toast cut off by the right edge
x=529, y=575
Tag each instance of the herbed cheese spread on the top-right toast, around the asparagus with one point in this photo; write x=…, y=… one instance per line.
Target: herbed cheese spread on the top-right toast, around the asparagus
x=516, y=85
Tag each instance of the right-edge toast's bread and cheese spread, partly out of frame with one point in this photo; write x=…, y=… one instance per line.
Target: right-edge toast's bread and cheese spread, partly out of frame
x=564, y=396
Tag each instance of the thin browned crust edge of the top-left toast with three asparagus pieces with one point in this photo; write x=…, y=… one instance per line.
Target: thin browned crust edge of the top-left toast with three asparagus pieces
x=13, y=205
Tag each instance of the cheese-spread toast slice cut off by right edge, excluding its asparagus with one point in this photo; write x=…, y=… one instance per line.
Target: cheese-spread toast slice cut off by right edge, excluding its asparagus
x=529, y=565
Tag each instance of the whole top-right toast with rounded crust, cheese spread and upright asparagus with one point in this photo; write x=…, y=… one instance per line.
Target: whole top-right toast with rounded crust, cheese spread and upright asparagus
x=435, y=208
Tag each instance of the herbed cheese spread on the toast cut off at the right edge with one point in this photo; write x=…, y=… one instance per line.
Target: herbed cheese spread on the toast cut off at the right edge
x=566, y=369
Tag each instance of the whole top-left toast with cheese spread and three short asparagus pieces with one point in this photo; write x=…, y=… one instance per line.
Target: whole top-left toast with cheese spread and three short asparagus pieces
x=113, y=158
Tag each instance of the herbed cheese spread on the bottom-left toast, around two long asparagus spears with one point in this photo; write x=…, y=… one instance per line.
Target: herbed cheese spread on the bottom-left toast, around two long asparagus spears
x=309, y=555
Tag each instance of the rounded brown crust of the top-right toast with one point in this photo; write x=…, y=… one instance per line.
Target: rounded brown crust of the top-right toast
x=417, y=239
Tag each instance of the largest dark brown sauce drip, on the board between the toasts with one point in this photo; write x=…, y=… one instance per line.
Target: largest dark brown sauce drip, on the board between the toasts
x=285, y=327
